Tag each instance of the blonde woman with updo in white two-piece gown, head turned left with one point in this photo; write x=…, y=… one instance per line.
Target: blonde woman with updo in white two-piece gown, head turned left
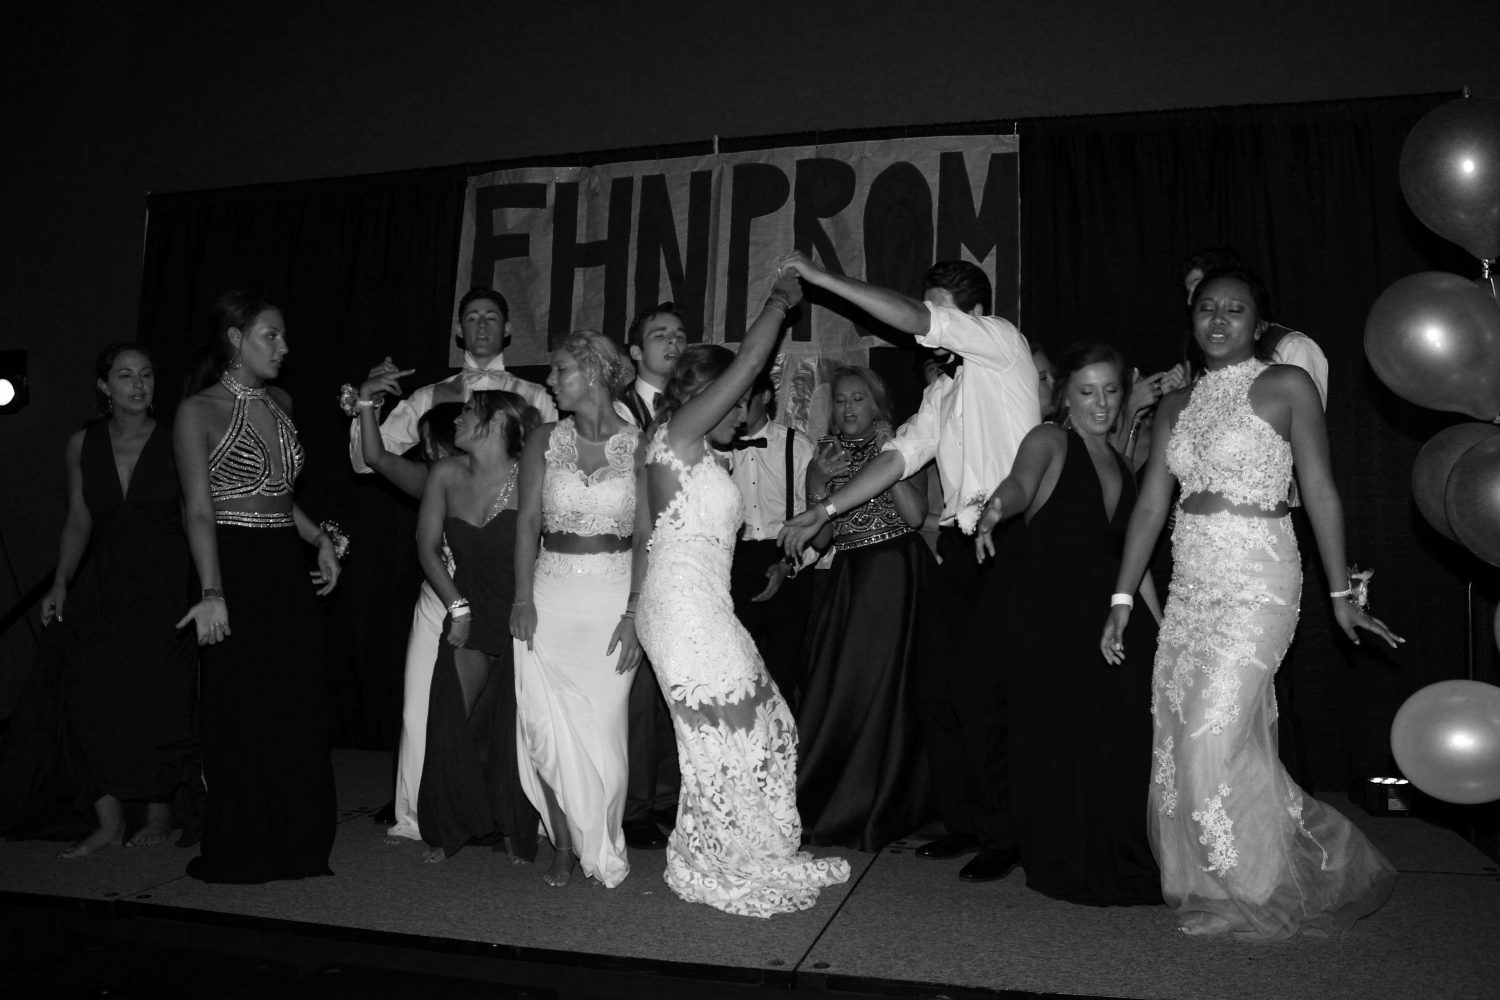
x=575, y=645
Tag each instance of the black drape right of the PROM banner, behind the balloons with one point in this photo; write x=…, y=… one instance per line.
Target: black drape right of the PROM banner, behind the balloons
x=1310, y=197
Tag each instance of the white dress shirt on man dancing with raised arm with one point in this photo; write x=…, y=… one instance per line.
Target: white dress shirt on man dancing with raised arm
x=973, y=424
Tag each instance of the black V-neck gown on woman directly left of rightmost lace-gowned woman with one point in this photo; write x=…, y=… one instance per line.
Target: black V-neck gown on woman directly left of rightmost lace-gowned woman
x=1081, y=731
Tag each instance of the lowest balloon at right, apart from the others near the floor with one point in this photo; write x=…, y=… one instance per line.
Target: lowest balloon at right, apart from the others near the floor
x=1447, y=740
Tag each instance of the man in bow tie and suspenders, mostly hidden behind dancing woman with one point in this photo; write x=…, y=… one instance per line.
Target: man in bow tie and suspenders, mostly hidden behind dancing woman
x=772, y=602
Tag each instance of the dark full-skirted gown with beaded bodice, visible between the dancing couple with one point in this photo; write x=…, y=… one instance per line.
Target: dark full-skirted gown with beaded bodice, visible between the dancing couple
x=862, y=777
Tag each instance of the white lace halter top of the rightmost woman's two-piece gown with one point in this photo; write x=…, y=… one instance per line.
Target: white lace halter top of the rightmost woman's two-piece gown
x=1220, y=446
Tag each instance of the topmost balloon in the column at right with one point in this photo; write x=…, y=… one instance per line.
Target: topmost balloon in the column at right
x=1451, y=175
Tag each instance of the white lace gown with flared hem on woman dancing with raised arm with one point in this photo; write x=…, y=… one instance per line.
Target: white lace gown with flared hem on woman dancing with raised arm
x=739, y=834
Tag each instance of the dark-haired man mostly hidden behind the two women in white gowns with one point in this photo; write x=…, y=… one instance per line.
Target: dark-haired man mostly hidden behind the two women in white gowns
x=655, y=340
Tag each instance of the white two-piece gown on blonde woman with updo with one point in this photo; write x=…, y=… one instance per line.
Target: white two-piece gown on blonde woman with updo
x=572, y=707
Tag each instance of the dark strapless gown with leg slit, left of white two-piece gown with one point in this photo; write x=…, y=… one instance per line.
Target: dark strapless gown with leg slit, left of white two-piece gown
x=470, y=777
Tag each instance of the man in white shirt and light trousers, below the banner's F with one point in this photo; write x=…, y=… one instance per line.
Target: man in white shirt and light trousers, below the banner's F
x=482, y=329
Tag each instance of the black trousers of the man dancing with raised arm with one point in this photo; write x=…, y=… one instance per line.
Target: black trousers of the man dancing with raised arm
x=962, y=689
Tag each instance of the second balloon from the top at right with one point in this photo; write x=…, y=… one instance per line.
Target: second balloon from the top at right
x=1435, y=340
